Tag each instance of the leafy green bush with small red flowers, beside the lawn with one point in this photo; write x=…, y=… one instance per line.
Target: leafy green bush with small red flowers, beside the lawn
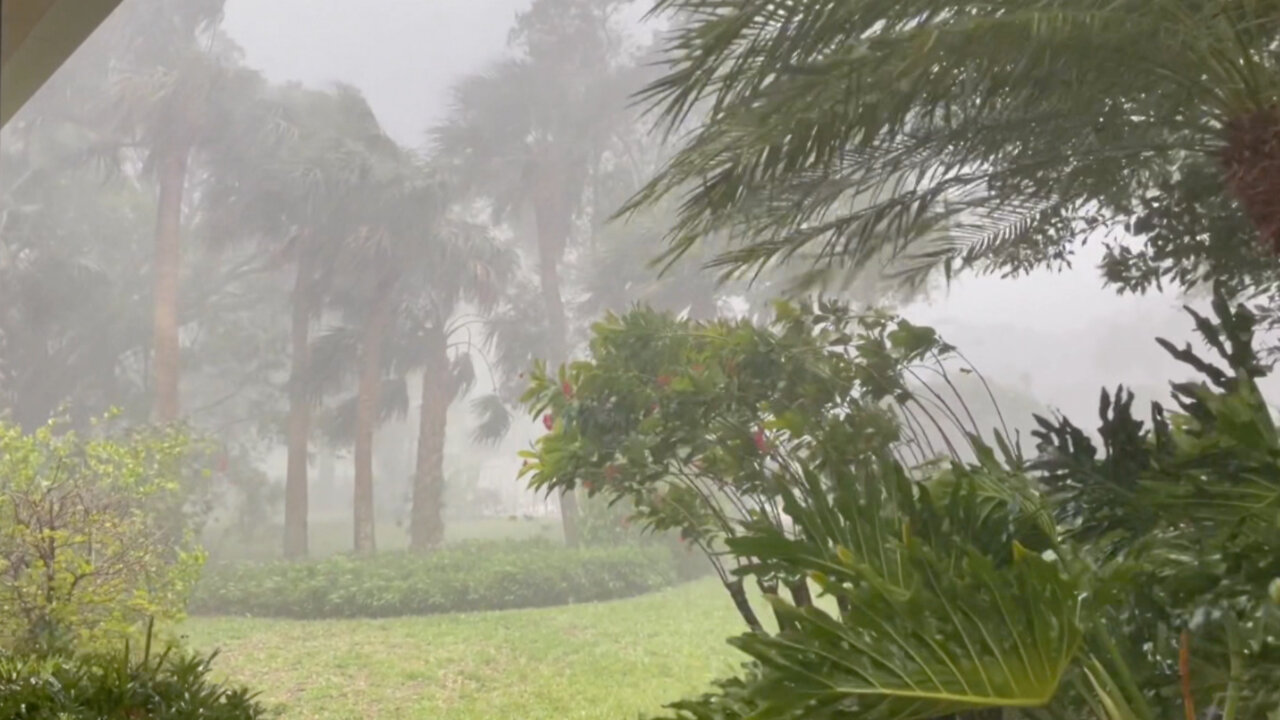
x=689, y=421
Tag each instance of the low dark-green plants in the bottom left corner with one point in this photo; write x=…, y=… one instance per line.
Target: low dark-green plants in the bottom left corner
x=172, y=686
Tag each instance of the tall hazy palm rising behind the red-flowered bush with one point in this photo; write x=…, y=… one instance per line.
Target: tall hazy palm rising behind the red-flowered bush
x=528, y=134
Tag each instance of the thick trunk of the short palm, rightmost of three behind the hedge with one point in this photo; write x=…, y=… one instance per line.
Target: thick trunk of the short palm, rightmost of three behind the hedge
x=427, y=521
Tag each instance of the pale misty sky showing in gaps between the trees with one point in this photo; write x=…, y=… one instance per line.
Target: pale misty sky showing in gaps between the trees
x=405, y=54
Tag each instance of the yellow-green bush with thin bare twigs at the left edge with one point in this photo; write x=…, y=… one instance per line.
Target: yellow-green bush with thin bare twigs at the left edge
x=97, y=535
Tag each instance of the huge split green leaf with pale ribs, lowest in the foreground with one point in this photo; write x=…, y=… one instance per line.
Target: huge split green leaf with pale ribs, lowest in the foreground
x=958, y=639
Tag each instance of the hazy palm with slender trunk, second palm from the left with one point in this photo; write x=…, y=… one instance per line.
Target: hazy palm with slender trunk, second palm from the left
x=295, y=192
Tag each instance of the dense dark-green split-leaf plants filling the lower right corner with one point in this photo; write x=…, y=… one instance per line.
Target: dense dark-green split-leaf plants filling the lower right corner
x=1133, y=578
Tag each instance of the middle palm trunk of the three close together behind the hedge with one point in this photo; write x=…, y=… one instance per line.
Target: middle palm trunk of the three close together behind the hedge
x=367, y=418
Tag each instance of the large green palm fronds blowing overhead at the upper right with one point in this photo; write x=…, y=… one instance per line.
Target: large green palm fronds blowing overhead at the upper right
x=959, y=134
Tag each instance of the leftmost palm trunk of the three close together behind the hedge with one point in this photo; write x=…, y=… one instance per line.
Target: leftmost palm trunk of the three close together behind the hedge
x=300, y=414
